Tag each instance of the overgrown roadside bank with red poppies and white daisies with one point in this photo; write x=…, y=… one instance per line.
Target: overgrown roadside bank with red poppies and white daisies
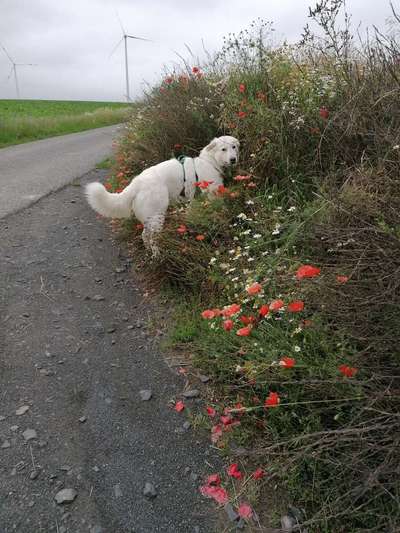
x=287, y=285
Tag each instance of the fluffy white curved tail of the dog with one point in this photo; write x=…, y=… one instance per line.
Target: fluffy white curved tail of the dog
x=112, y=205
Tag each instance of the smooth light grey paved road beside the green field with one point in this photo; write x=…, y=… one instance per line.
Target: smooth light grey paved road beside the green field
x=29, y=171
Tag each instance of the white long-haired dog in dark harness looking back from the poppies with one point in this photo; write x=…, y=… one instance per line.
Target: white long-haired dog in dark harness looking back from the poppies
x=150, y=193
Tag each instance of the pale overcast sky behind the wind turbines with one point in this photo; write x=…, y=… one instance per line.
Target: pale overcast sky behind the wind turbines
x=71, y=40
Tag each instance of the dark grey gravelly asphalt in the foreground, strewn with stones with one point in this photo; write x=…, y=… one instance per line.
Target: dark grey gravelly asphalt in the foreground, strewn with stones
x=75, y=354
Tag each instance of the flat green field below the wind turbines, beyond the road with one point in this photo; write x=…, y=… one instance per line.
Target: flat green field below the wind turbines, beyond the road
x=28, y=120
